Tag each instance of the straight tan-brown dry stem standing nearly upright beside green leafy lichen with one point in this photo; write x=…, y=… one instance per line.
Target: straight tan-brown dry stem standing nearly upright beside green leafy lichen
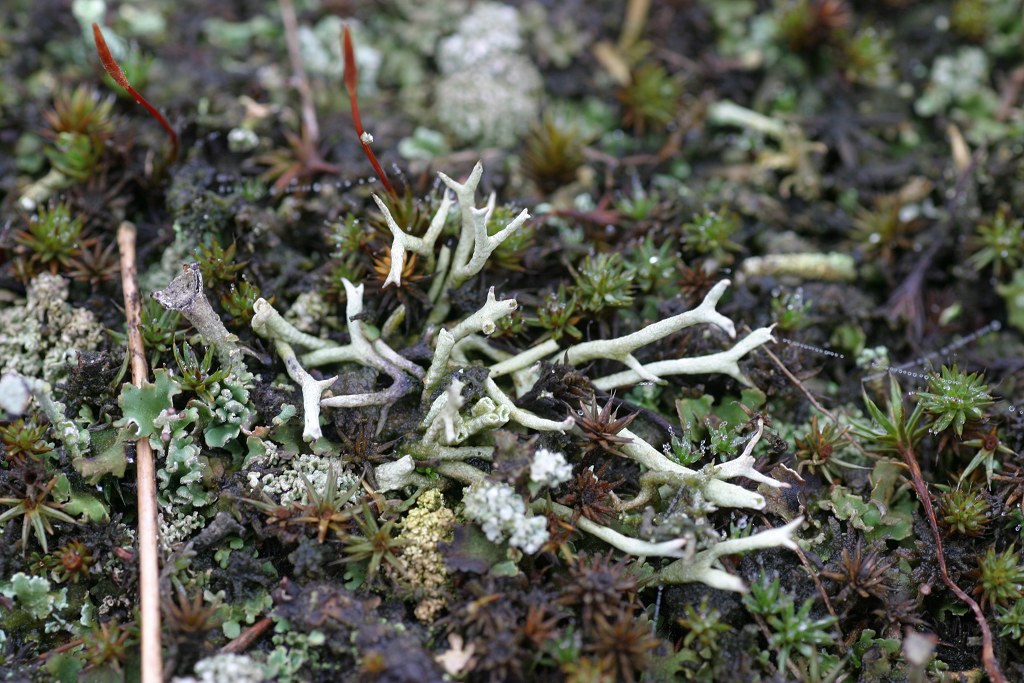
x=149, y=567
